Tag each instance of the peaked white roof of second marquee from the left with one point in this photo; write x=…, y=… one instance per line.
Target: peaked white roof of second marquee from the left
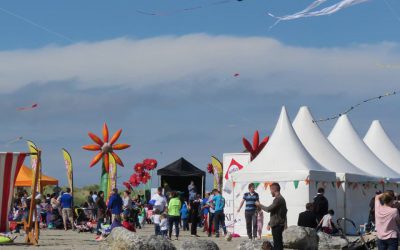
x=321, y=149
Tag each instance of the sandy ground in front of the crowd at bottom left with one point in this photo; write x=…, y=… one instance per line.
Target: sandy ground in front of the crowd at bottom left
x=62, y=240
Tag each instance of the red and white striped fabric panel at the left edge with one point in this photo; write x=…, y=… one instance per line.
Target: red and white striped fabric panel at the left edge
x=10, y=164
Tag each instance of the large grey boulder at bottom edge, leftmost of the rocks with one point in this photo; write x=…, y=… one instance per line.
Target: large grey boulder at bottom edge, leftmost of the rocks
x=122, y=239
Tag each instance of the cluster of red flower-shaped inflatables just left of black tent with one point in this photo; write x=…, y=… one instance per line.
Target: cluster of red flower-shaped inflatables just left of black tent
x=141, y=174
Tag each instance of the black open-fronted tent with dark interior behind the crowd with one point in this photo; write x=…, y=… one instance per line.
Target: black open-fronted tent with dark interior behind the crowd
x=179, y=174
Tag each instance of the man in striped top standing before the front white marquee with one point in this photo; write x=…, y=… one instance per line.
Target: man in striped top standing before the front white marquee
x=250, y=211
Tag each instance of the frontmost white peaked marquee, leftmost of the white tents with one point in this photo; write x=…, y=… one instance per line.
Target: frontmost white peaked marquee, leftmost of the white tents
x=286, y=161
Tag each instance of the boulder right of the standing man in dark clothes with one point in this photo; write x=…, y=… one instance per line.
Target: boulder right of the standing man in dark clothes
x=296, y=237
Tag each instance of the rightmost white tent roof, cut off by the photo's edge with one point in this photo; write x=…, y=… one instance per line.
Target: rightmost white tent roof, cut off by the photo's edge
x=379, y=142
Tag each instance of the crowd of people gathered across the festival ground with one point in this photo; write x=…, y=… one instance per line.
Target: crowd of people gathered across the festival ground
x=172, y=212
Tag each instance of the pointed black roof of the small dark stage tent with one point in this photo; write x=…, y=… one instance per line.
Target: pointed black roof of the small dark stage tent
x=181, y=167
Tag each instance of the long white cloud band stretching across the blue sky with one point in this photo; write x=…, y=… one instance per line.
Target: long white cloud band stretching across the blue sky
x=265, y=65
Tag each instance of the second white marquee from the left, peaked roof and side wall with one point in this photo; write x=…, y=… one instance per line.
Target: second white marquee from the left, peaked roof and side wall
x=351, y=202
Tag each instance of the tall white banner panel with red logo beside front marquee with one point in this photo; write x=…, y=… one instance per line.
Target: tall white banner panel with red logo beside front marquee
x=230, y=200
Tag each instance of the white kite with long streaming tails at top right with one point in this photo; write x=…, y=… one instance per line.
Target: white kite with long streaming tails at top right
x=307, y=12
